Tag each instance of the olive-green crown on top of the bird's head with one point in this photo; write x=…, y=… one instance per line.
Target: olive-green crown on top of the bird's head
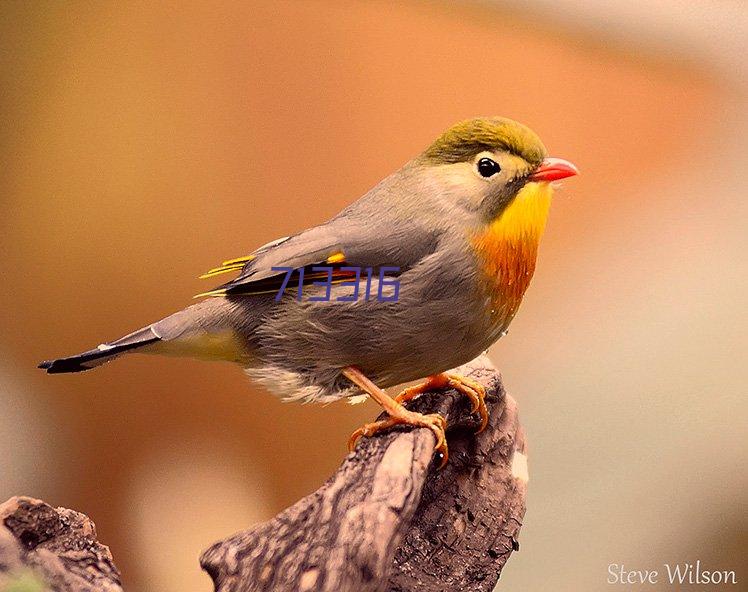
x=464, y=140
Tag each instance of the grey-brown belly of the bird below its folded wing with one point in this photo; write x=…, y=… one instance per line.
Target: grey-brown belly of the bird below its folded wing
x=302, y=347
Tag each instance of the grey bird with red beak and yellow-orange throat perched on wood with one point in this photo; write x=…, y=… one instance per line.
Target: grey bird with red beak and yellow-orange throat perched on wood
x=458, y=229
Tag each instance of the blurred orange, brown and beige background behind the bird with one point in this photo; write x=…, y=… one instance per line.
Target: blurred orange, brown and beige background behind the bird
x=142, y=144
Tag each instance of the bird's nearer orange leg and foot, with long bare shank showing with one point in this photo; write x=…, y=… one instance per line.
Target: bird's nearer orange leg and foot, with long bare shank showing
x=398, y=415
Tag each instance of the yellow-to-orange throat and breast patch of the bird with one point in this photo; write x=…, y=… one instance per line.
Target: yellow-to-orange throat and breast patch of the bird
x=508, y=247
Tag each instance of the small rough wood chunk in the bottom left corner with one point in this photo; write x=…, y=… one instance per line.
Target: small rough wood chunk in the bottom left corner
x=46, y=548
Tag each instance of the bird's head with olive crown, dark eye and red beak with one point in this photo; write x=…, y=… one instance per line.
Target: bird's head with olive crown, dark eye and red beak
x=486, y=163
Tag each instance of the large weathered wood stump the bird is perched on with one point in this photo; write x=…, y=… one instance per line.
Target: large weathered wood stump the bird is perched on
x=389, y=520
